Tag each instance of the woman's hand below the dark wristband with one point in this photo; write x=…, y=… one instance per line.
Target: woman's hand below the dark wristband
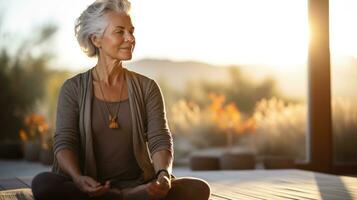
x=160, y=187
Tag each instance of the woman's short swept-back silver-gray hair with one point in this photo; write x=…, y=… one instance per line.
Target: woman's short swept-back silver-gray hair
x=92, y=21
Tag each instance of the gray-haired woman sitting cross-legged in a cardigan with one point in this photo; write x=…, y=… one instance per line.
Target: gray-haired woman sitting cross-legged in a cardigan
x=112, y=140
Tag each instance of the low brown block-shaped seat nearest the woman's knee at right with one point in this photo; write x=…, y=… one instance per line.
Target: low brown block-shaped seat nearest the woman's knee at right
x=204, y=162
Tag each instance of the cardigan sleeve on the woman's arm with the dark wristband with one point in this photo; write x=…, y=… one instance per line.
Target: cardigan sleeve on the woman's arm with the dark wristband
x=158, y=131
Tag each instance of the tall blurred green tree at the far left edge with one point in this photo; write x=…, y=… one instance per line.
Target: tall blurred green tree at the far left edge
x=22, y=78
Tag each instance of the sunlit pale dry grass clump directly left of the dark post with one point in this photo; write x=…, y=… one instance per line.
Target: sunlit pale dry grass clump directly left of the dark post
x=281, y=129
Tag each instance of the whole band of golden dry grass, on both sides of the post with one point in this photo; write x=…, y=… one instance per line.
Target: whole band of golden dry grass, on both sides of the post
x=279, y=128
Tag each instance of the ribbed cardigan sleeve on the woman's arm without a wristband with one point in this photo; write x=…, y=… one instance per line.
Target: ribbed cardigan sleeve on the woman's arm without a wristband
x=67, y=130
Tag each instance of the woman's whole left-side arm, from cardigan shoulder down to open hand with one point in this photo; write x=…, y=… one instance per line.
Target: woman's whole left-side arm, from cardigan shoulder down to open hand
x=66, y=140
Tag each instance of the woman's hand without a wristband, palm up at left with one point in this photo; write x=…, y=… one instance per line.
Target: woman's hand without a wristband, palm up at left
x=90, y=186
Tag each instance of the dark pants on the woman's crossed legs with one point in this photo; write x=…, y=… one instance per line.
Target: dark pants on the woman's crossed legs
x=52, y=186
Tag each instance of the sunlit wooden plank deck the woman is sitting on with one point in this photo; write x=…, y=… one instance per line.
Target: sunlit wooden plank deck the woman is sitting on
x=252, y=184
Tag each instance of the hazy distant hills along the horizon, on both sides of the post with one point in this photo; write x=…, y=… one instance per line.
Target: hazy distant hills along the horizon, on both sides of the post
x=292, y=82
